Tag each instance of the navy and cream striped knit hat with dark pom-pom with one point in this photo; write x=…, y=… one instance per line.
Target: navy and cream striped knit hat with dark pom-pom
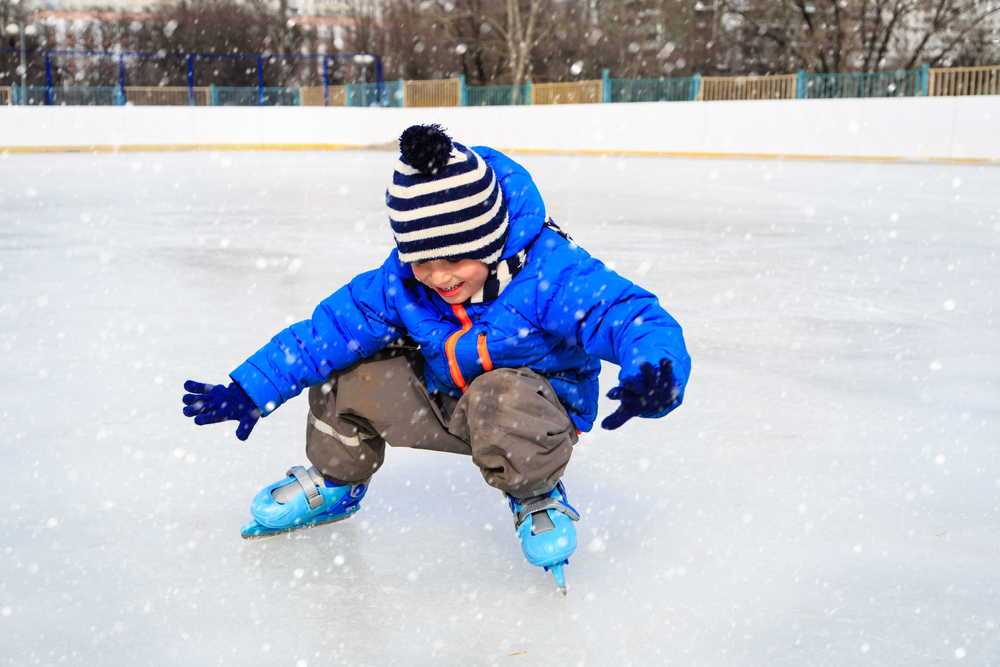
x=445, y=201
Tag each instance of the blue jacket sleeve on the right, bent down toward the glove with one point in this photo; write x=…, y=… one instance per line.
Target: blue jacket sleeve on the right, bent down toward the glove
x=591, y=306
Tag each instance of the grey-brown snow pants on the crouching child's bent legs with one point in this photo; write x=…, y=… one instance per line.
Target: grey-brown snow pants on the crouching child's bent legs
x=509, y=420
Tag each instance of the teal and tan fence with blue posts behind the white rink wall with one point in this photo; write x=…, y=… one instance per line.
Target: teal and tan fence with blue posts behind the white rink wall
x=922, y=82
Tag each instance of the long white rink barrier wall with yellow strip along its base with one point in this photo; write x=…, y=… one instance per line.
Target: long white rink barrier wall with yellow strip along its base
x=960, y=129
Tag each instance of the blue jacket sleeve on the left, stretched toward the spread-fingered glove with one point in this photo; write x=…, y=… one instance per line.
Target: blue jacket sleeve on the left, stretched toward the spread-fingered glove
x=354, y=322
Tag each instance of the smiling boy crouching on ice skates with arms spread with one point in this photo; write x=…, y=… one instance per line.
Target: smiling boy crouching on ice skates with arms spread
x=481, y=334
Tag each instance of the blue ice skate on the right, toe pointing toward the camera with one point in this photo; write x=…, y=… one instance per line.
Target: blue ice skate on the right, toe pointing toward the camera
x=545, y=525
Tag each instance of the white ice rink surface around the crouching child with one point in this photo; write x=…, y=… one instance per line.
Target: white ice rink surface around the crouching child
x=829, y=494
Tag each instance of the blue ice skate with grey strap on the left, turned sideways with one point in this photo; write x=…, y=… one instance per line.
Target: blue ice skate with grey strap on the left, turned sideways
x=302, y=500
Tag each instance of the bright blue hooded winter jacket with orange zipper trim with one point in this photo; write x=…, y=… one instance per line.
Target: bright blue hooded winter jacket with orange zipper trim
x=560, y=316
